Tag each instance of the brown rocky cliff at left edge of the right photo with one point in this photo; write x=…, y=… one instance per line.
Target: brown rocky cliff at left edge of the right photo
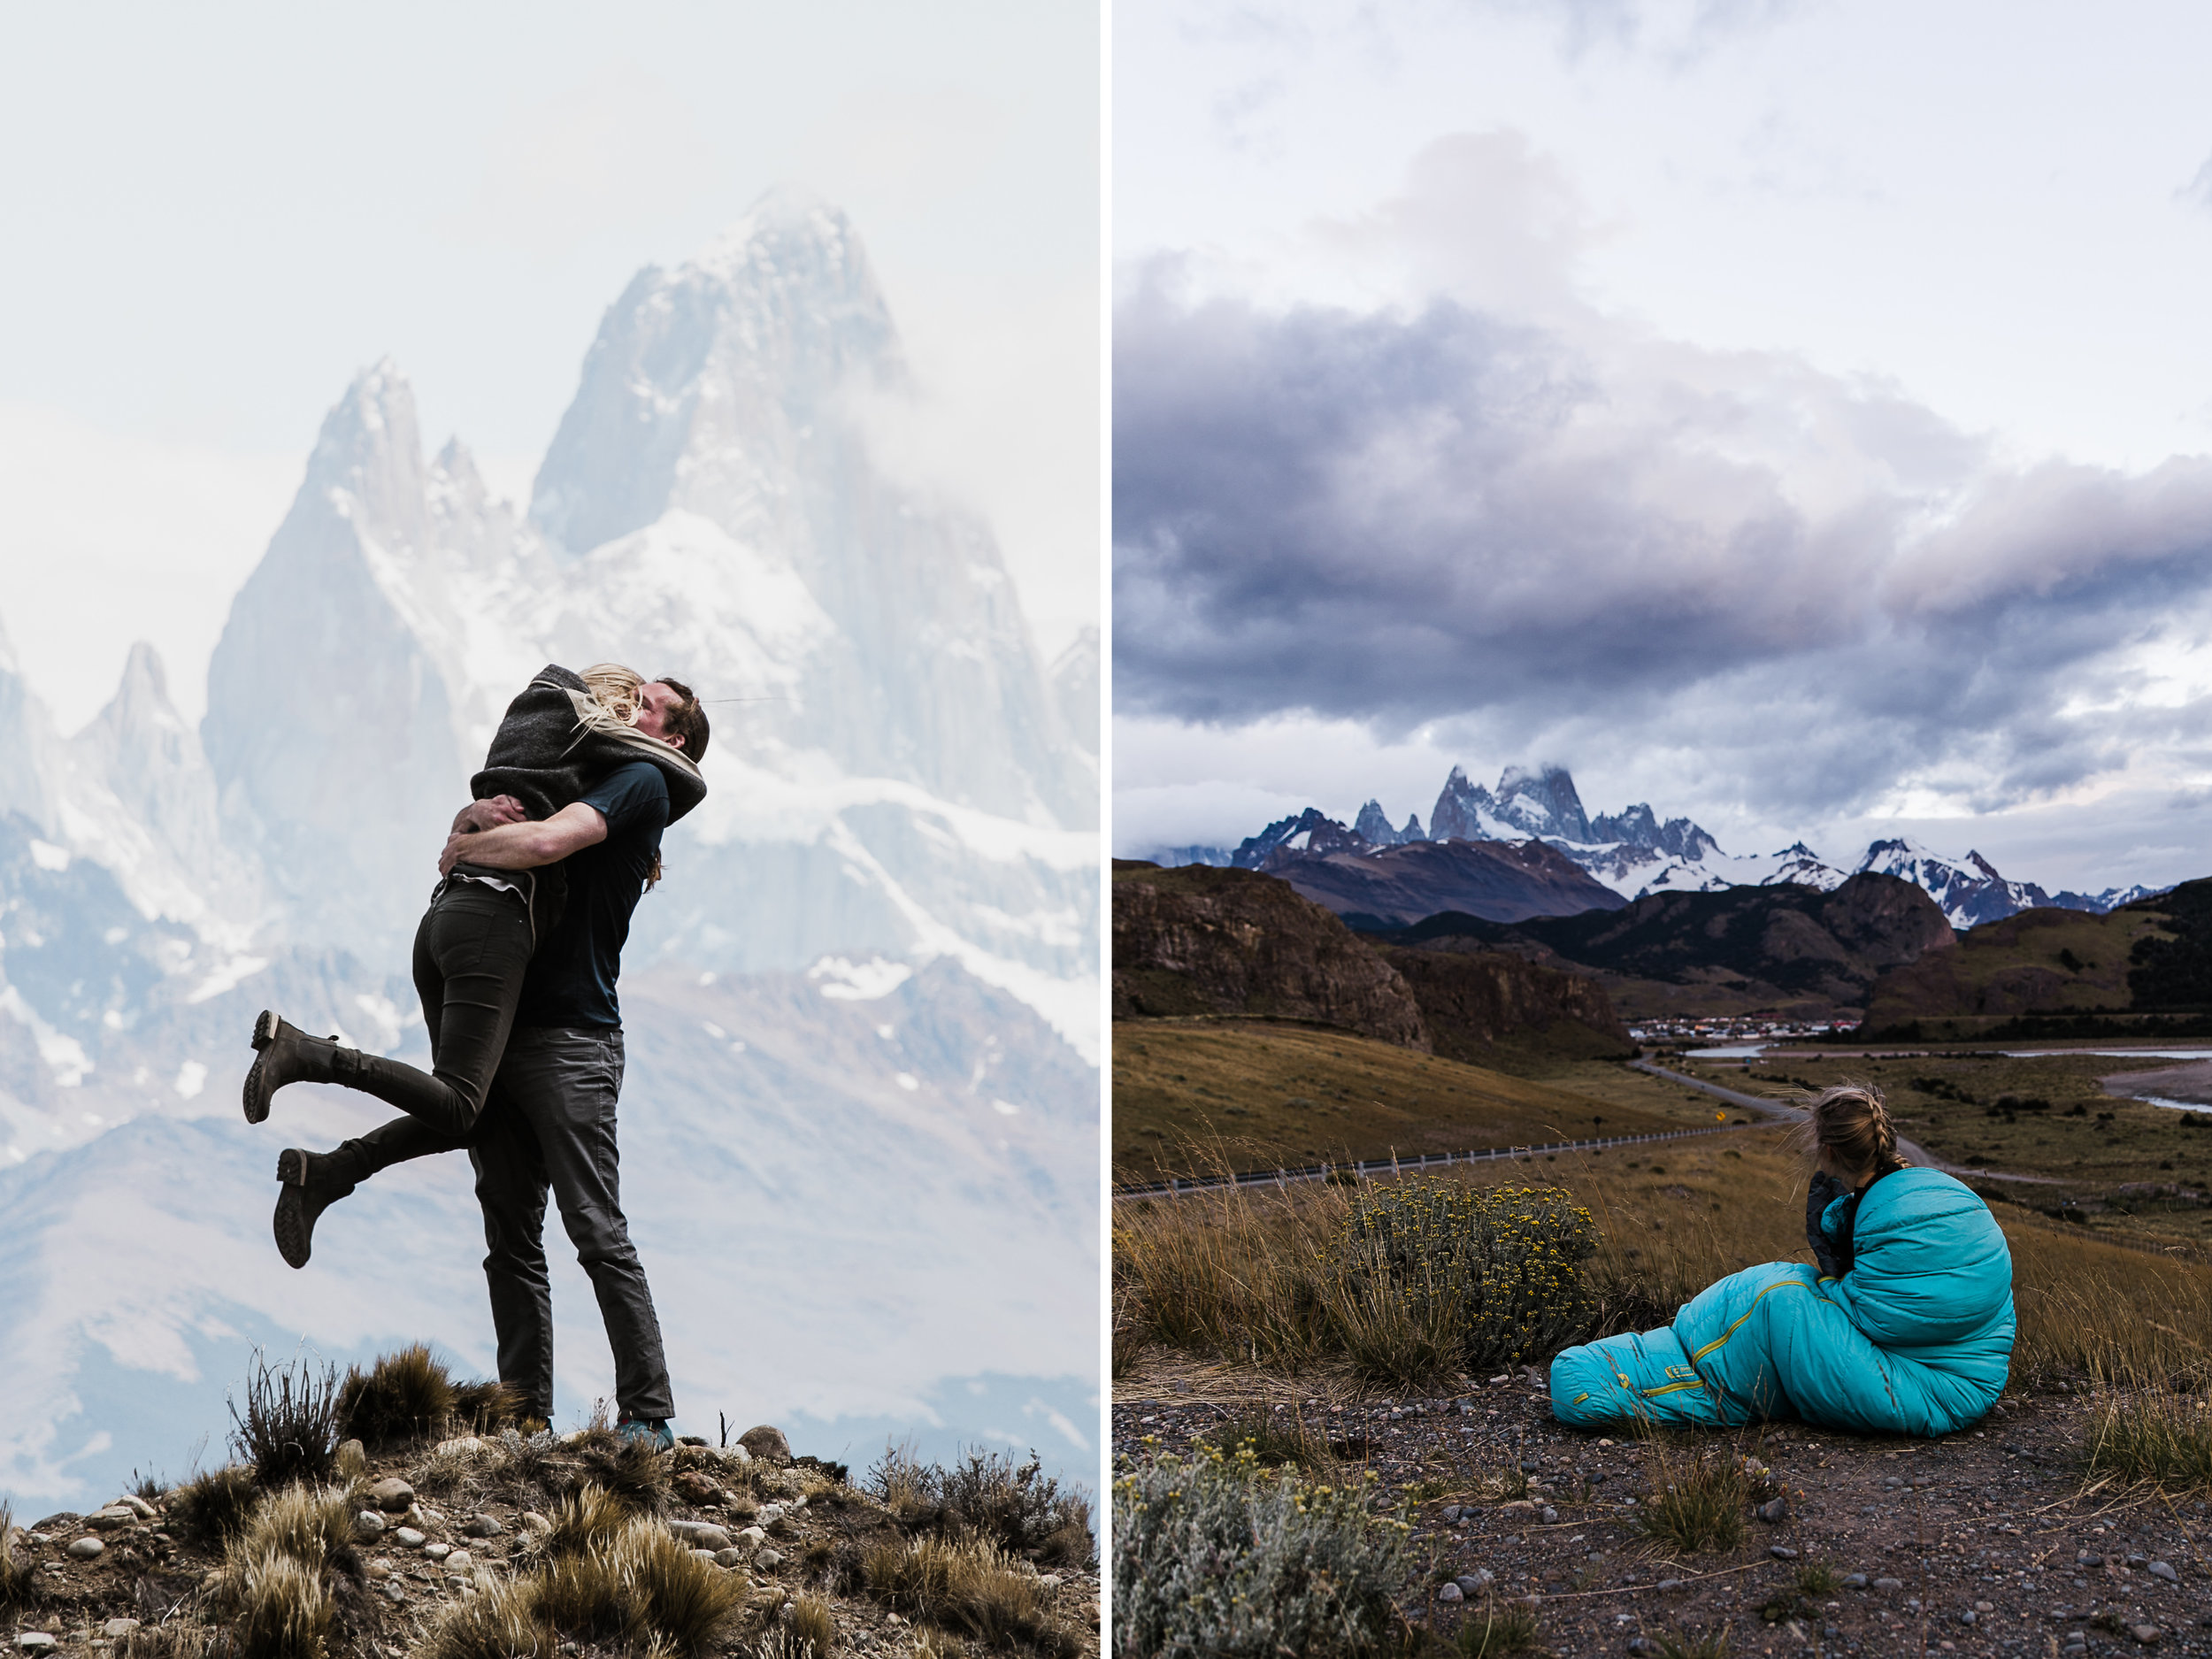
x=1231, y=941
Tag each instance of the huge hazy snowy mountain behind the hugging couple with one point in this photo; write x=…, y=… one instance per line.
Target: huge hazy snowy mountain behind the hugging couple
x=862, y=1098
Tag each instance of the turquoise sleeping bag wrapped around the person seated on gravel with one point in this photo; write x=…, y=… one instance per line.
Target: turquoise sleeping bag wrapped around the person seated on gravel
x=1914, y=1339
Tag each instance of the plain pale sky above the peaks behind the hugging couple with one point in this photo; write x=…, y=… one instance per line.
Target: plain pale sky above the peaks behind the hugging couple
x=216, y=216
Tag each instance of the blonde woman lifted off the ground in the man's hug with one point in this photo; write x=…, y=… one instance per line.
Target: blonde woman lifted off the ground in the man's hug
x=561, y=740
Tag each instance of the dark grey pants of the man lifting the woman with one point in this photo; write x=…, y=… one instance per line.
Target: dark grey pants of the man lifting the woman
x=552, y=1123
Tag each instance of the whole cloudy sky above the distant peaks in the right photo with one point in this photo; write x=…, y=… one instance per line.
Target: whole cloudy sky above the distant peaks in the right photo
x=1791, y=415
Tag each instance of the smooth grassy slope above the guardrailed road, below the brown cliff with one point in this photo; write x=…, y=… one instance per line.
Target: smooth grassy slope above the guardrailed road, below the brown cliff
x=1196, y=1094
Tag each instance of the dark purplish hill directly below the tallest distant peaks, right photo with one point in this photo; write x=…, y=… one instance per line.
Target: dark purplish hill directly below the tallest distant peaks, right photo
x=1503, y=881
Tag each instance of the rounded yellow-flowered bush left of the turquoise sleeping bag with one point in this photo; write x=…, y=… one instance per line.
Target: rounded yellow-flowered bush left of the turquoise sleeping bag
x=1437, y=1275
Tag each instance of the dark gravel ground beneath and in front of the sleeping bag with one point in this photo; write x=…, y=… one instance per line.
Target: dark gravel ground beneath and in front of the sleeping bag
x=1987, y=1541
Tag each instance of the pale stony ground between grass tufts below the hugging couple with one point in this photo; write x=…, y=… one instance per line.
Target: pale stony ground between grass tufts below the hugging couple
x=450, y=1523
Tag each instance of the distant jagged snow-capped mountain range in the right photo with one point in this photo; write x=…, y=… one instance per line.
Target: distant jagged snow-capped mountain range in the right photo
x=1631, y=853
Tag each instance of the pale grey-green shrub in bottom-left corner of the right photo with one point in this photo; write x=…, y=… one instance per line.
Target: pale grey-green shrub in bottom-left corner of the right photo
x=1220, y=1556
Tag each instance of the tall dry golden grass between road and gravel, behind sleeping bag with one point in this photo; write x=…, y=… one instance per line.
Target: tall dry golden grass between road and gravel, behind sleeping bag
x=1229, y=1275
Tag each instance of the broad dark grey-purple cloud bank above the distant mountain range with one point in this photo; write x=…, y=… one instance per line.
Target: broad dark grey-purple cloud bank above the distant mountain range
x=1415, y=519
